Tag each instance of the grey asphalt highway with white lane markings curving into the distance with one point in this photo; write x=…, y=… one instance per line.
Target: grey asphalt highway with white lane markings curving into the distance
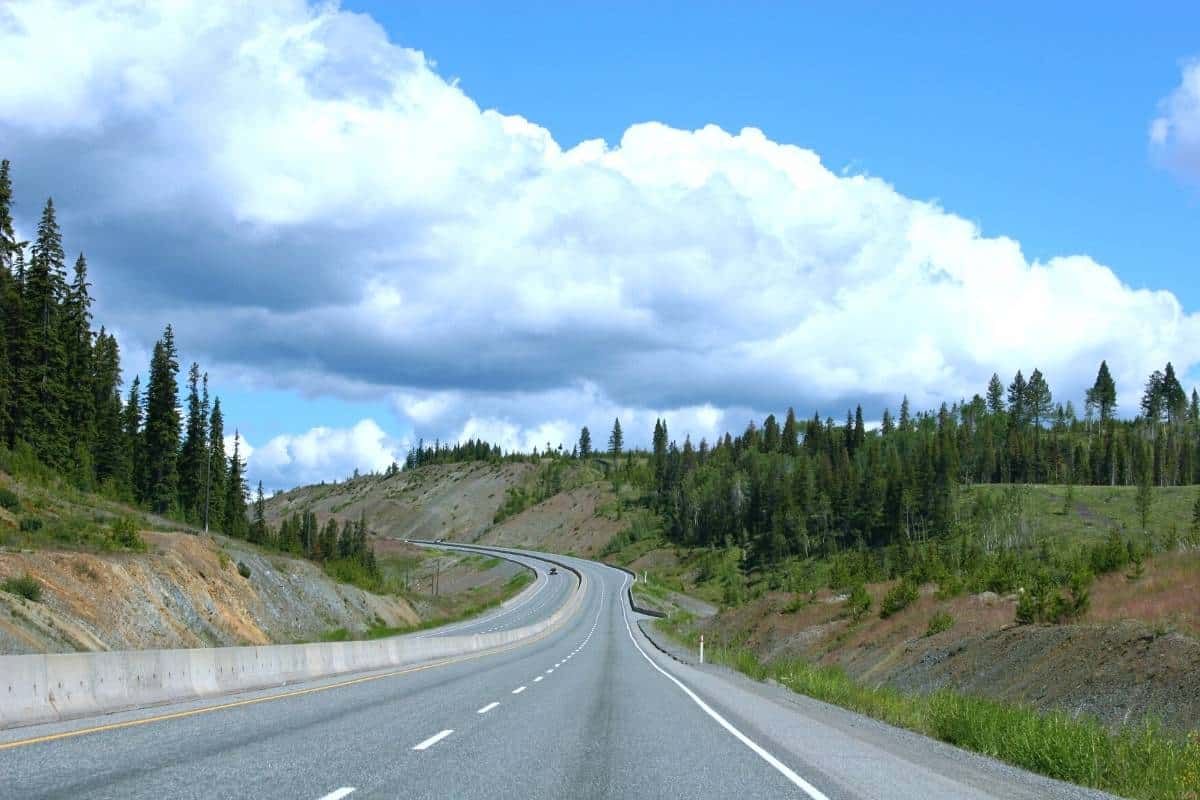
x=591, y=711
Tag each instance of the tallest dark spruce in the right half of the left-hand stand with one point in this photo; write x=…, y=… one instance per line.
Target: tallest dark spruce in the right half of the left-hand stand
x=161, y=492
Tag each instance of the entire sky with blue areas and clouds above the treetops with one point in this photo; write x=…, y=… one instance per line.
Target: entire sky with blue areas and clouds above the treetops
x=380, y=222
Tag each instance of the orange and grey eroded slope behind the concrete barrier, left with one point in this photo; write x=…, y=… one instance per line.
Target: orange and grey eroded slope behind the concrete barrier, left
x=185, y=592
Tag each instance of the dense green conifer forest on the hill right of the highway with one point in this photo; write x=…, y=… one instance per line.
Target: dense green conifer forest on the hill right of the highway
x=818, y=488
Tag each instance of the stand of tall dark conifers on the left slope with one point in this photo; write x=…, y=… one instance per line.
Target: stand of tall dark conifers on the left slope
x=62, y=400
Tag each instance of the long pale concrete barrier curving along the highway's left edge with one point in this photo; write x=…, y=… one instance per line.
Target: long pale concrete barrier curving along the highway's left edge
x=50, y=688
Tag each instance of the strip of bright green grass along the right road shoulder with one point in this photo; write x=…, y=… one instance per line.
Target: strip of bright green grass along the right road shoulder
x=1138, y=761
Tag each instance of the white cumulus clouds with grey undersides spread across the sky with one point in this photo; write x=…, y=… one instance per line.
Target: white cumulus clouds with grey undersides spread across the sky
x=314, y=206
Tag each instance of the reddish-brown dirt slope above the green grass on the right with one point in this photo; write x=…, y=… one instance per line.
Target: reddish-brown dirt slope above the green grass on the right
x=1115, y=664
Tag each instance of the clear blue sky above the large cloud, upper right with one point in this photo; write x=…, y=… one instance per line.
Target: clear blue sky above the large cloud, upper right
x=1028, y=118
